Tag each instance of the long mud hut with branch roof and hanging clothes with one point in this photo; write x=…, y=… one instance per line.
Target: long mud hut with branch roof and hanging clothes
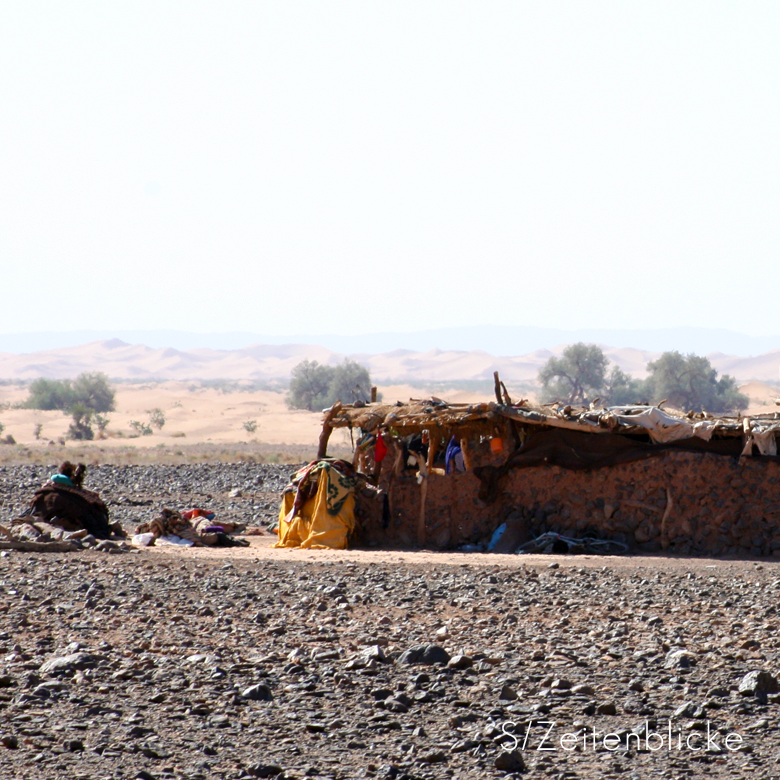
x=655, y=480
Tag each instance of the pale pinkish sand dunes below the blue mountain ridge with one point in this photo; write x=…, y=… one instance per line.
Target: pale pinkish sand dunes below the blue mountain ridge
x=122, y=360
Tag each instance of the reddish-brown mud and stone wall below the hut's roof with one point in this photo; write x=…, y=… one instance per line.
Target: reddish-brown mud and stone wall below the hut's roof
x=719, y=506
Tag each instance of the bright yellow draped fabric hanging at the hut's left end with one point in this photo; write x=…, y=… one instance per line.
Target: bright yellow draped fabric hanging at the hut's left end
x=315, y=526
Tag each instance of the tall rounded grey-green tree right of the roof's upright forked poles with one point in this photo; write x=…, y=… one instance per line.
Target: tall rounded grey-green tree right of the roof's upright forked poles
x=580, y=373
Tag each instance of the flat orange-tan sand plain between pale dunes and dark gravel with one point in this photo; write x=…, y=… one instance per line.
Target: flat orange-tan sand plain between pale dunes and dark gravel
x=208, y=416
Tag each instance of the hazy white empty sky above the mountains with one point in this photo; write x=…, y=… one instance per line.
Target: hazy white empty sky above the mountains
x=302, y=167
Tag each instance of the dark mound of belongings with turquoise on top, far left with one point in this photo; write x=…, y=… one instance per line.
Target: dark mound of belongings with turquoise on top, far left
x=64, y=509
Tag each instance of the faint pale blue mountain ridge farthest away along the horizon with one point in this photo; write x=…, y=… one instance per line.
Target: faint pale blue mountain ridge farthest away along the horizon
x=492, y=339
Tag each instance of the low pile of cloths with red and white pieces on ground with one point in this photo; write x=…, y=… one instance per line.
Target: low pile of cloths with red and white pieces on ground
x=193, y=528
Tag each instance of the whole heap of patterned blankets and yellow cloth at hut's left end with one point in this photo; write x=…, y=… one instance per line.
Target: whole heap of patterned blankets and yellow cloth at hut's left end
x=318, y=506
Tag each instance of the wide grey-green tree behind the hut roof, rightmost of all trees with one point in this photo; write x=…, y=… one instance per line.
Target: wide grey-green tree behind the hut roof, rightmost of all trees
x=690, y=383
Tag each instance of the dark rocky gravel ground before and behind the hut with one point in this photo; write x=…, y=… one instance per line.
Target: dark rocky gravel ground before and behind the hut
x=188, y=664
